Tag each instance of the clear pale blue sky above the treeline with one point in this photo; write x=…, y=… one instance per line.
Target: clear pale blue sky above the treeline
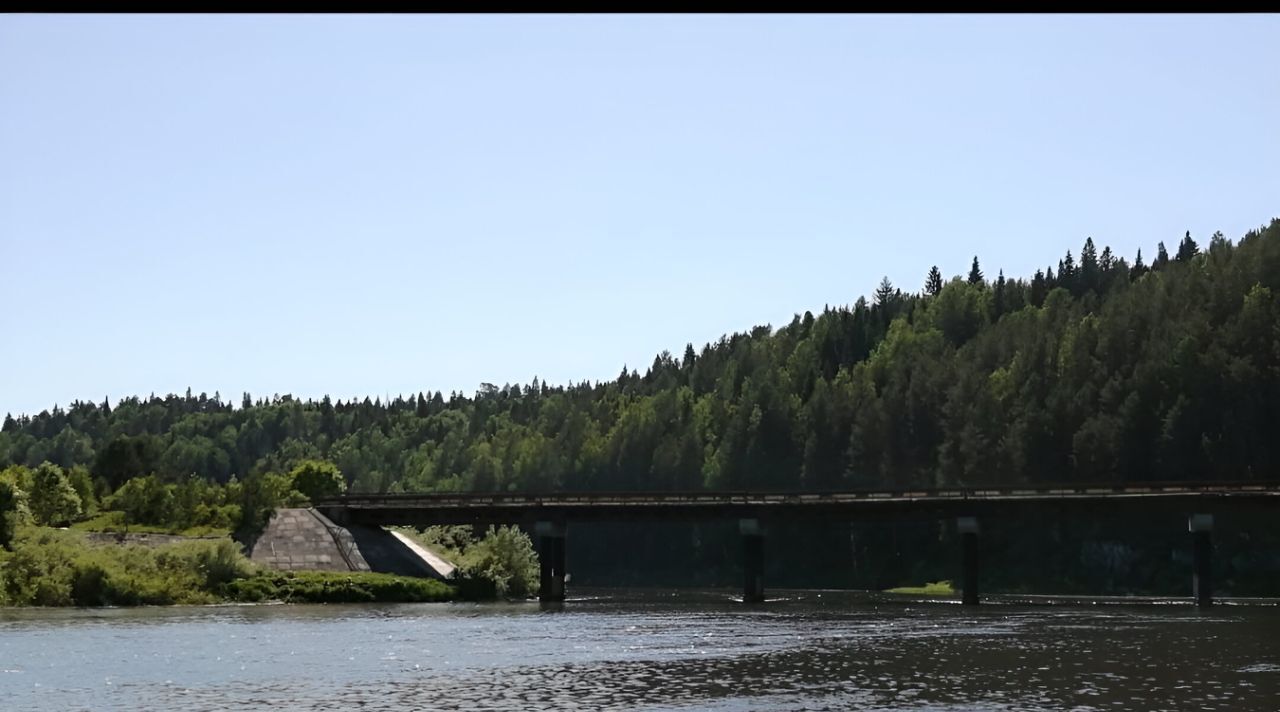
x=368, y=206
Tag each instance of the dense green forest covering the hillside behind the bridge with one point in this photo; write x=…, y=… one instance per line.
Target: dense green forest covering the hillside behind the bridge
x=1098, y=368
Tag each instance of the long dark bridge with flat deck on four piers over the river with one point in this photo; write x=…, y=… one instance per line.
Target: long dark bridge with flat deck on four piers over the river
x=548, y=515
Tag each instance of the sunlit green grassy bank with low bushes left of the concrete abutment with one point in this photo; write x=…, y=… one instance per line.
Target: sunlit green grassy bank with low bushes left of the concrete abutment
x=62, y=568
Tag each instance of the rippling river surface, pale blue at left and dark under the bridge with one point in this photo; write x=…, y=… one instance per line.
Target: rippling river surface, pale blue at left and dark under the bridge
x=655, y=650
